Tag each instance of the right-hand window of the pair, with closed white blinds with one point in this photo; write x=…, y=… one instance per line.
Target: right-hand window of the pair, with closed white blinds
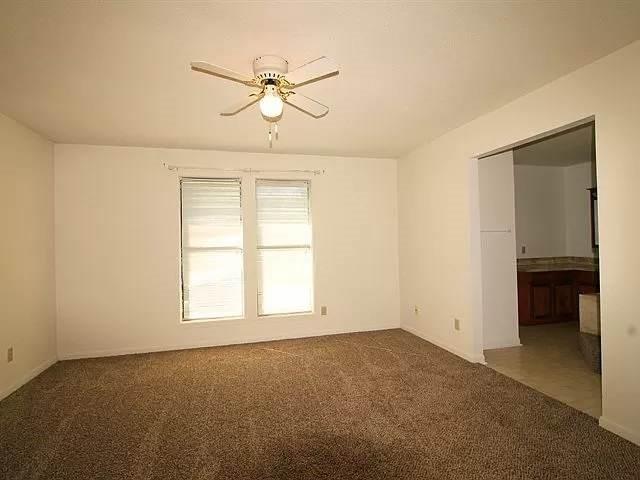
x=285, y=259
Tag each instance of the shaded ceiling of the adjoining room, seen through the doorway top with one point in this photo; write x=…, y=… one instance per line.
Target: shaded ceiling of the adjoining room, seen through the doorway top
x=563, y=150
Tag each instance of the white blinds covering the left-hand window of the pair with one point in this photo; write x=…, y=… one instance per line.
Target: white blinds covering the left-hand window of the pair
x=212, y=255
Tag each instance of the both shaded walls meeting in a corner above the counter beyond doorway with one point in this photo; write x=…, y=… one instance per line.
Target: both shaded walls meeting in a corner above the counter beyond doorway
x=553, y=216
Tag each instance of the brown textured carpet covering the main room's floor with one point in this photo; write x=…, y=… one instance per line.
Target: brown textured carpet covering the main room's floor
x=379, y=405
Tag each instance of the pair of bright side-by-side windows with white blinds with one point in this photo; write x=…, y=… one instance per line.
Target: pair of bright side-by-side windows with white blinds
x=212, y=248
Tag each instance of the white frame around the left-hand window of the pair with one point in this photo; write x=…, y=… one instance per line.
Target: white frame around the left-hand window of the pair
x=240, y=180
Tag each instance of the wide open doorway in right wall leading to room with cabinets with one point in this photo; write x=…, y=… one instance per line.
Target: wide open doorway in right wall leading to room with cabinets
x=540, y=265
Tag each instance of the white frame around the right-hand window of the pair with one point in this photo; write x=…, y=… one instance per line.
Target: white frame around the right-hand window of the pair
x=311, y=247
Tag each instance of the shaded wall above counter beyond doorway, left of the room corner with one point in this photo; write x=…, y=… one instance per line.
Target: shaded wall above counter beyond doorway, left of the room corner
x=540, y=211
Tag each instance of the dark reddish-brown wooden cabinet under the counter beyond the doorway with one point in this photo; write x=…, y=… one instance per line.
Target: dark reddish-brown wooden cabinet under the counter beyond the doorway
x=546, y=297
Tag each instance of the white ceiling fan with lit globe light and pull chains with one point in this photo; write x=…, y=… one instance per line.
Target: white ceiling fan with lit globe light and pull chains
x=275, y=86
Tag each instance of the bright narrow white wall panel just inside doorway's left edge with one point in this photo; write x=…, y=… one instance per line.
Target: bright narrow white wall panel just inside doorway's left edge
x=498, y=251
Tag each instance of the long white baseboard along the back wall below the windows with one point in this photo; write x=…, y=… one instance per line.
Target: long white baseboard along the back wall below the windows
x=209, y=343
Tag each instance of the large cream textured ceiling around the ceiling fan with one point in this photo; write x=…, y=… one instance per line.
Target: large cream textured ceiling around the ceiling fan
x=117, y=72
